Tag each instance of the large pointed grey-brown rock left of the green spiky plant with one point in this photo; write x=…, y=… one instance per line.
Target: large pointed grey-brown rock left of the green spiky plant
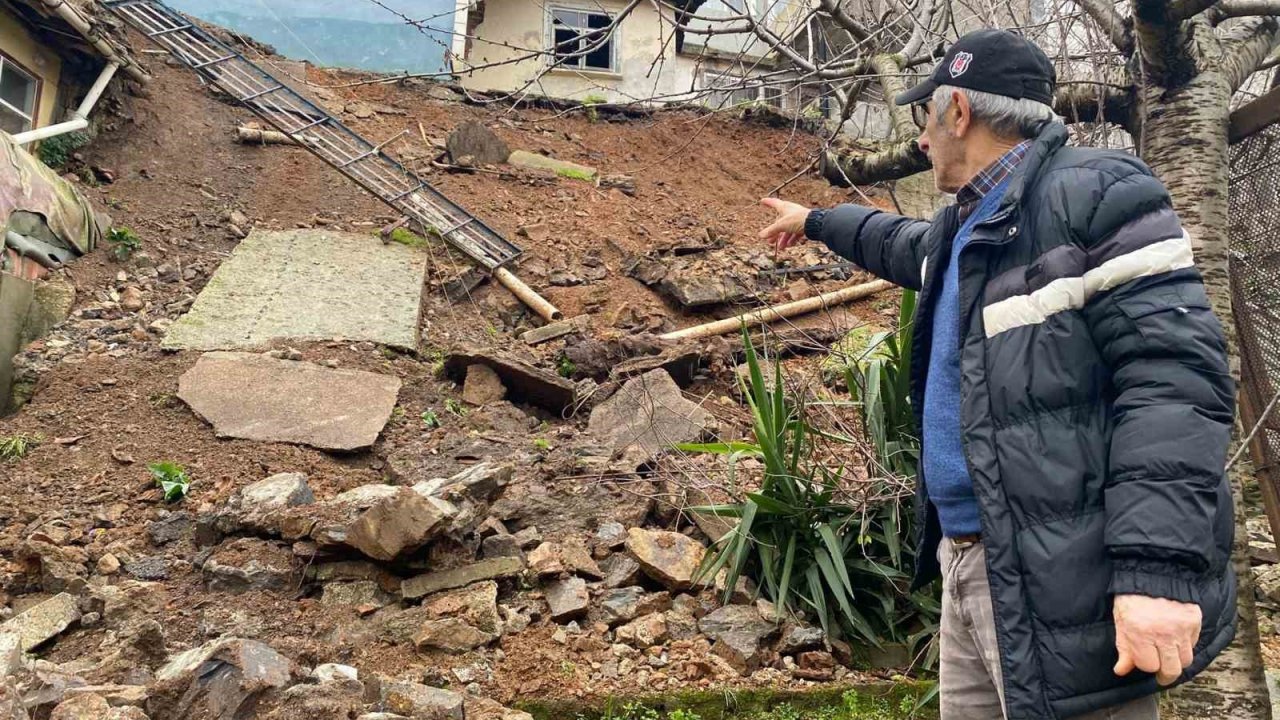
x=647, y=417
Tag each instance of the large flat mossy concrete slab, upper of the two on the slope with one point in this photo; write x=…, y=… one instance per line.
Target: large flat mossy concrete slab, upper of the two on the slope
x=307, y=285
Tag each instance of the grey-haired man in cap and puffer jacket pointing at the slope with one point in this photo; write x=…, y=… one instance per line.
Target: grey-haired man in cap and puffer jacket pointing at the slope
x=1072, y=388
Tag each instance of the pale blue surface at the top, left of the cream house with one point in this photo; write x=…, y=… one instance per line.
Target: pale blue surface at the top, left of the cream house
x=350, y=34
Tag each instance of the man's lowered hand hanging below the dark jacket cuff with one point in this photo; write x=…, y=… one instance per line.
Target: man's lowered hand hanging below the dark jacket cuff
x=1155, y=636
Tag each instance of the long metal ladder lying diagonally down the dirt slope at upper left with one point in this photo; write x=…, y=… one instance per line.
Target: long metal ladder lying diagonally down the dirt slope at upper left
x=314, y=129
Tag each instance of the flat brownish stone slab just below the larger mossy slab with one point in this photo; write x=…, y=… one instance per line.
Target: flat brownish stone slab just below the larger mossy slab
x=257, y=398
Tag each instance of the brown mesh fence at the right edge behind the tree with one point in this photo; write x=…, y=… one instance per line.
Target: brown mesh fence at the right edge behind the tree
x=1255, y=270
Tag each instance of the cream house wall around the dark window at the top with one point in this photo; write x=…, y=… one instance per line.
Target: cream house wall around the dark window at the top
x=510, y=26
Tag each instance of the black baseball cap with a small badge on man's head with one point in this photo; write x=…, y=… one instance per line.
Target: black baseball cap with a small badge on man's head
x=991, y=61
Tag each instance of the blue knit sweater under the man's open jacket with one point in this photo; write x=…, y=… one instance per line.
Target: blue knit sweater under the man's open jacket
x=947, y=475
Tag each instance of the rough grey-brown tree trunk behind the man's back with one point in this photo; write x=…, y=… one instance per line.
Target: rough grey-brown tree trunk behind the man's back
x=1183, y=139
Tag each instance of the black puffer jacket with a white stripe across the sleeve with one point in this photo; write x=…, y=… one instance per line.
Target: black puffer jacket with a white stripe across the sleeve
x=1096, y=407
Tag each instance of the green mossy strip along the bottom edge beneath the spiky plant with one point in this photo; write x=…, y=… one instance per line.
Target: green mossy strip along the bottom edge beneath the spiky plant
x=879, y=701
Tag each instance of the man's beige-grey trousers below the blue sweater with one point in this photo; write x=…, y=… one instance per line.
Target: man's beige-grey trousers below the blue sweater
x=971, y=685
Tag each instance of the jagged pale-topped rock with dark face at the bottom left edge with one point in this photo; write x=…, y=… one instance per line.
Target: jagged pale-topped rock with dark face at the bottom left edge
x=227, y=678
